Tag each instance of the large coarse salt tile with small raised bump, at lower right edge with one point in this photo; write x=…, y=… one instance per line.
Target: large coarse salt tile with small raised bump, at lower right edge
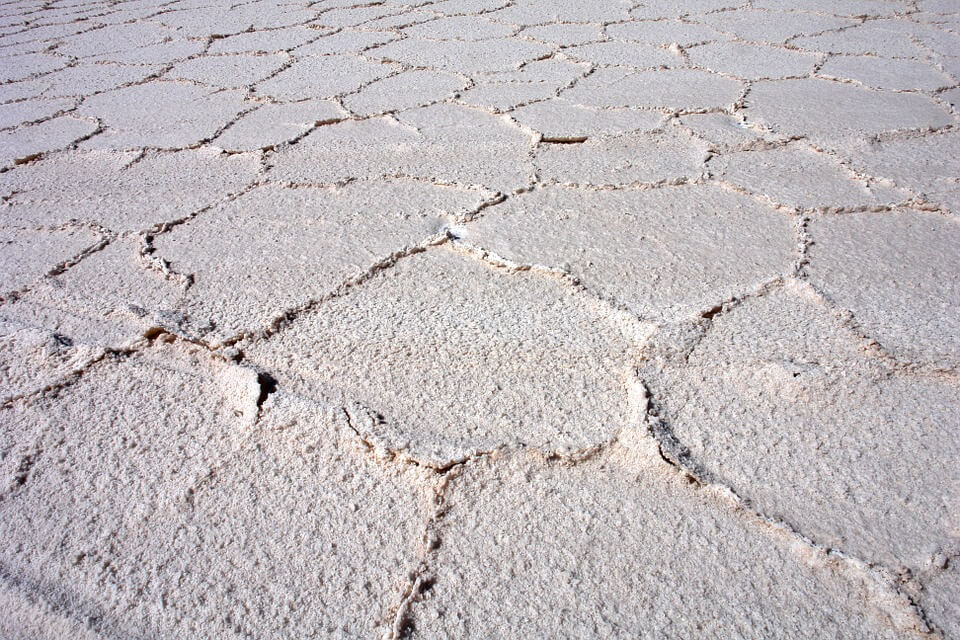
x=779, y=403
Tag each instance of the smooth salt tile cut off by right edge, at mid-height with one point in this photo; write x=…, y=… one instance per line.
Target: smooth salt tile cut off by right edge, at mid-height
x=896, y=272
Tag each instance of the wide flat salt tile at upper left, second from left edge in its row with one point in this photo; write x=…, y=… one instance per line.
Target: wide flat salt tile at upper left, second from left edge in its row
x=160, y=114
